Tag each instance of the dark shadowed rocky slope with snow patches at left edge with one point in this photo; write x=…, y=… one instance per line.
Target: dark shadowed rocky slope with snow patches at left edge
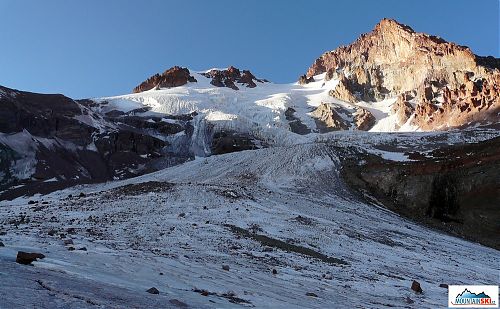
x=52, y=137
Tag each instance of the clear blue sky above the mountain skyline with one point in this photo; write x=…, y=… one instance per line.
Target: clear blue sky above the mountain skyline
x=93, y=48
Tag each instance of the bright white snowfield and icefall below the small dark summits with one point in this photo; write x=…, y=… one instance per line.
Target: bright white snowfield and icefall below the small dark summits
x=259, y=111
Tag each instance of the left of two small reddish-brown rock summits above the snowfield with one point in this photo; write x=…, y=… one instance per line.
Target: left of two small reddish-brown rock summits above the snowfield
x=173, y=77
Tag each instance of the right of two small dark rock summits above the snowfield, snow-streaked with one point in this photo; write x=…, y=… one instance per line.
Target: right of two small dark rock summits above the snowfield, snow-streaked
x=230, y=76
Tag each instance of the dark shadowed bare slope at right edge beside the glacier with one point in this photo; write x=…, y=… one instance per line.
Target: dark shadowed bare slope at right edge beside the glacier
x=455, y=188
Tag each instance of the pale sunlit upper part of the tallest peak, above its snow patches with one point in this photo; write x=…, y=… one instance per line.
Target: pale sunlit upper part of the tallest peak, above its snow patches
x=393, y=58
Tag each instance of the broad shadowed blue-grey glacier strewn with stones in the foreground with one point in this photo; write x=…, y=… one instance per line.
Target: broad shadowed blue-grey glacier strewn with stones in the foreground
x=282, y=208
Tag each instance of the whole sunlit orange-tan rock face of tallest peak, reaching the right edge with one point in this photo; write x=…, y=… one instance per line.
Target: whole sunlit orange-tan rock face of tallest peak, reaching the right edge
x=450, y=85
